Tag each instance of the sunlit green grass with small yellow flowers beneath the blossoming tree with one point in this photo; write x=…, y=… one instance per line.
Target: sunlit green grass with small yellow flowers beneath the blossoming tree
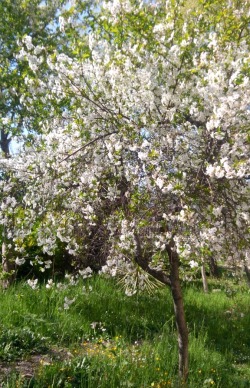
x=105, y=339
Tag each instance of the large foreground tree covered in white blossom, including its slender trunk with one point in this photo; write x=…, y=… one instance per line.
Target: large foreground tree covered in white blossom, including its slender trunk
x=145, y=141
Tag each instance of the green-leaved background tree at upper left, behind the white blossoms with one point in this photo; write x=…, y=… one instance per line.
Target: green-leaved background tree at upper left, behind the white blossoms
x=41, y=24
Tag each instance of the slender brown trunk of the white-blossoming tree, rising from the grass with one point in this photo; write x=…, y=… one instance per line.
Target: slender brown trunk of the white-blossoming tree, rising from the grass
x=179, y=314
